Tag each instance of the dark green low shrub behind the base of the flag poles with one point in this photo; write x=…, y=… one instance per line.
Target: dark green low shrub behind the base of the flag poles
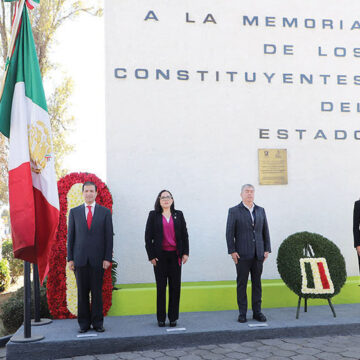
x=12, y=310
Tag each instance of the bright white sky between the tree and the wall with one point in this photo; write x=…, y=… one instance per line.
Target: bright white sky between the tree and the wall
x=79, y=52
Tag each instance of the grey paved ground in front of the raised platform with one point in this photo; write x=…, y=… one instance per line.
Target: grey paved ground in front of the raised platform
x=325, y=347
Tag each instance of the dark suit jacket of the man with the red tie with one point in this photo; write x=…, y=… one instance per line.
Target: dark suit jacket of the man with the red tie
x=95, y=244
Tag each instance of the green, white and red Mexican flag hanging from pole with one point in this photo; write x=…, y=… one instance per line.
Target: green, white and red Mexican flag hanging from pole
x=24, y=118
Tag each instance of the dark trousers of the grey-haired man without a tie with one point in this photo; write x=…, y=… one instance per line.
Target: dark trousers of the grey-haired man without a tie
x=243, y=268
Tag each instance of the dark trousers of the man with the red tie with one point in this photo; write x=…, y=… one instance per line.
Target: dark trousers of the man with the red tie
x=89, y=280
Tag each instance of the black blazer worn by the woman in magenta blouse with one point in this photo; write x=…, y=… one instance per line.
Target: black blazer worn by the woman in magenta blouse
x=154, y=234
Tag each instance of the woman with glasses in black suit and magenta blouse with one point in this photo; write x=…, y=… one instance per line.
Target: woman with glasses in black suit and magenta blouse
x=167, y=246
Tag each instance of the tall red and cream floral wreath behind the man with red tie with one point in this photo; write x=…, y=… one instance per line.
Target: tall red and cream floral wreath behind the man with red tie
x=61, y=284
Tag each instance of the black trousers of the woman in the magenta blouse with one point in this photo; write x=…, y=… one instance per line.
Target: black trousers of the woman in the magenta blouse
x=168, y=270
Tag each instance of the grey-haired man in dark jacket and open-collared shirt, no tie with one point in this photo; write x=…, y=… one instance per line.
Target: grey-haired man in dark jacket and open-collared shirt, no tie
x=248, y=242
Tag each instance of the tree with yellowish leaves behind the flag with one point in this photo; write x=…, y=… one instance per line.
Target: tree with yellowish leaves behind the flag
x=46, y=20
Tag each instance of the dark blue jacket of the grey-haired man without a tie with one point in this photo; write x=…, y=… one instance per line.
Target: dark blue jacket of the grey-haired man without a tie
x=240, y=232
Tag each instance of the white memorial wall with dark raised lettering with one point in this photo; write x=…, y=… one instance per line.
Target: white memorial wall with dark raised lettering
x=199, y=139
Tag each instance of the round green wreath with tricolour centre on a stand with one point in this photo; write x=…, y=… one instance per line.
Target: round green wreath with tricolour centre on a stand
x=312, y=267
